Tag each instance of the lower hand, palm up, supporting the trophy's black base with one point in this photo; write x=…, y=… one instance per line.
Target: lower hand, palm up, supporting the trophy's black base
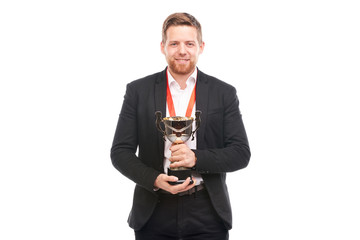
x=162, y=181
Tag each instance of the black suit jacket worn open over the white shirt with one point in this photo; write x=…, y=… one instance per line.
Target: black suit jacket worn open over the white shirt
x=222, y=144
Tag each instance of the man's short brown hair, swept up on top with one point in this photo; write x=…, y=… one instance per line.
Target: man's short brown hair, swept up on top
x=180, y=19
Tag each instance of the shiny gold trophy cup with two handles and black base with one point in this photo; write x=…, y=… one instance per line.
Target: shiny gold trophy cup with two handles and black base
x=178, y=130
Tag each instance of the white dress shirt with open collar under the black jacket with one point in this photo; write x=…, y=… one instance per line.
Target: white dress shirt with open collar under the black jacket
x=181, y=98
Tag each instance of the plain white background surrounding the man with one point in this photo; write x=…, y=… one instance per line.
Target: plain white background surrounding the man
x=64, y=66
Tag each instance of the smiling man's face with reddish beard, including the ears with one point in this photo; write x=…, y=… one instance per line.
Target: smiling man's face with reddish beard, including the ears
x=182, y=49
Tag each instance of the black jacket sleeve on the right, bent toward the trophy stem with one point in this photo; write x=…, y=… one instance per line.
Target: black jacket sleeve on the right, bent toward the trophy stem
x=234, y=152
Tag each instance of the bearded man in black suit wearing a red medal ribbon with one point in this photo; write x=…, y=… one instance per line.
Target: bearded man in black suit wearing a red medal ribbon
x=198, y=210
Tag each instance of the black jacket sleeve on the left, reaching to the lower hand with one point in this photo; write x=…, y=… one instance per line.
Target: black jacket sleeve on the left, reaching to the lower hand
x=125, y=143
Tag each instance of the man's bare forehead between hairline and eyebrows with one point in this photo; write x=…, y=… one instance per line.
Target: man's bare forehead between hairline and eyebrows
x=181, y=33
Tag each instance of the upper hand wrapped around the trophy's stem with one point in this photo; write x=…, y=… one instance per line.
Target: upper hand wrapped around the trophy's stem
x=182, y=156
